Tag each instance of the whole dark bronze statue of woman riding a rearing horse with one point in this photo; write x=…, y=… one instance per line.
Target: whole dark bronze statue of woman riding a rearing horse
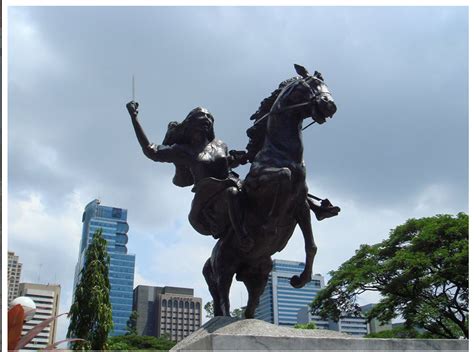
x=254, y=218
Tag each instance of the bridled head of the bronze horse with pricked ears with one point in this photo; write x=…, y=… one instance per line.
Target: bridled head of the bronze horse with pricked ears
x=311, y=94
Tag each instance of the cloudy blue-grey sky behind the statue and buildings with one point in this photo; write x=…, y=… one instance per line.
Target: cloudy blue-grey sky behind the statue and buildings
x=397, y=148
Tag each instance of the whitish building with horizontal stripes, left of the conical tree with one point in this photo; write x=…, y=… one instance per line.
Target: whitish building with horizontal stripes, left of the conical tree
x=46, y=298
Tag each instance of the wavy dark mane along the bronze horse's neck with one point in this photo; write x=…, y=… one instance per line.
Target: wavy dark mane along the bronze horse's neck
x=256, y=133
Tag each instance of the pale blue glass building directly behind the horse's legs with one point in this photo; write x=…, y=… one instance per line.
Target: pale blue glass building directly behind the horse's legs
x=280, y=302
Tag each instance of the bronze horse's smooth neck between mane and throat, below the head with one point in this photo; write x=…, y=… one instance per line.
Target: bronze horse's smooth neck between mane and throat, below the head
x=284, y=137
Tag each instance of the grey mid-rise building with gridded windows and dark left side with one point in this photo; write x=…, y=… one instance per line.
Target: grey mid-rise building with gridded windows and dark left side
x=173, y=311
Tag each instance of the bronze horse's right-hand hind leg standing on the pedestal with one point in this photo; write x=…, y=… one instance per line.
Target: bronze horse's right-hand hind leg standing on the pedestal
x=255, y=280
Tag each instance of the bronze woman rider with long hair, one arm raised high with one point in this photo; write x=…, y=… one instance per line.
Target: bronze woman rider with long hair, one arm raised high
x=203, y=161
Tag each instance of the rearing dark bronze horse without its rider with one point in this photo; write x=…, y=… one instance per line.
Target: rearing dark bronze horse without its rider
x=275, y=190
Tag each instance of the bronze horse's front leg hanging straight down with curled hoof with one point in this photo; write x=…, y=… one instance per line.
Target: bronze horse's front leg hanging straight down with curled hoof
x=303, y=217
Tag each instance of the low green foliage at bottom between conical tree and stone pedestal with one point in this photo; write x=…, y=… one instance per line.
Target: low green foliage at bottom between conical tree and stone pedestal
x=135, y=342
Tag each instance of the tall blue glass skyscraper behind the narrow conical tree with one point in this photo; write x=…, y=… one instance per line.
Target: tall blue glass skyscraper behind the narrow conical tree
x=113, y=222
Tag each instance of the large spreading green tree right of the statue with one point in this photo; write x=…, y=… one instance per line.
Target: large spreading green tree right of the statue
x=421, y=271
